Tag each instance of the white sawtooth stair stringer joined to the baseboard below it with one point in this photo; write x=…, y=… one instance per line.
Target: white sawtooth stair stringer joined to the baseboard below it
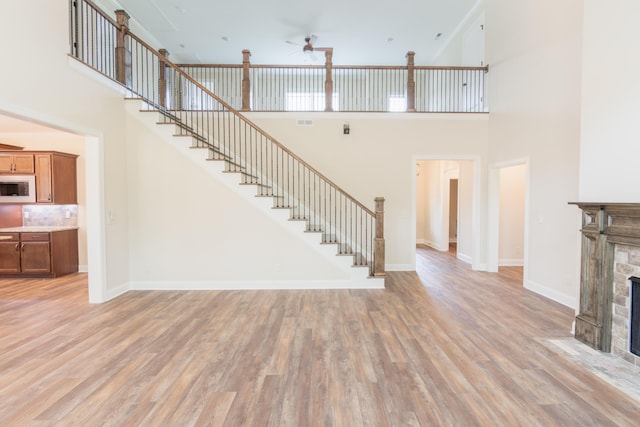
x=356, y=277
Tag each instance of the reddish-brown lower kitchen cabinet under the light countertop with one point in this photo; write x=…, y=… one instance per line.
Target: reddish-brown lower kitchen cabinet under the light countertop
x=39, y=254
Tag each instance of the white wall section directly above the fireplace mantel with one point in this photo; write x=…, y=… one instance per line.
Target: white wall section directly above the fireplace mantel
x=609, y=148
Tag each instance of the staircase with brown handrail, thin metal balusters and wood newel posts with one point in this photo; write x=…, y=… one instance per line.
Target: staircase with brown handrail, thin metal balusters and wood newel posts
x=248, y=158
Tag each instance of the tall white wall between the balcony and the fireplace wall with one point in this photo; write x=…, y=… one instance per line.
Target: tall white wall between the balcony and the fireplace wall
x=534, y=53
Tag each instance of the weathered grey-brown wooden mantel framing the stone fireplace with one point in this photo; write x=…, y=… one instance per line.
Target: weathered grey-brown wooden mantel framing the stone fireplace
x=604, y=225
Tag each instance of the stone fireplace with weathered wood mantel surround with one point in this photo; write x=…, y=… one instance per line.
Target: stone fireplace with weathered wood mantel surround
x=610, y=258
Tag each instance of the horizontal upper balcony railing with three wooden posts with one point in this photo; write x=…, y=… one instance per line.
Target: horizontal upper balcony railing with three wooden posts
x=410, y=88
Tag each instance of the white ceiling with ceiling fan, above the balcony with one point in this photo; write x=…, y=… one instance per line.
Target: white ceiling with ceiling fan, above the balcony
x=361, y=32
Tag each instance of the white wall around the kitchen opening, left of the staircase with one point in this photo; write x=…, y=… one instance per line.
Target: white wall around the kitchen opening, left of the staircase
x=39, y=83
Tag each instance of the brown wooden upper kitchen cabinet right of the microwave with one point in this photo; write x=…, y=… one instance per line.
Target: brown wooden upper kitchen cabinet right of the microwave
x=56, y=178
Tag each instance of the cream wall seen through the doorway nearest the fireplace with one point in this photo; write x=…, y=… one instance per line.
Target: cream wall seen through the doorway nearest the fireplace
x=512, y=214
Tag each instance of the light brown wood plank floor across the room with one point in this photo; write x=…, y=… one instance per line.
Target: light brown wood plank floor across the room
x=443, y=346
